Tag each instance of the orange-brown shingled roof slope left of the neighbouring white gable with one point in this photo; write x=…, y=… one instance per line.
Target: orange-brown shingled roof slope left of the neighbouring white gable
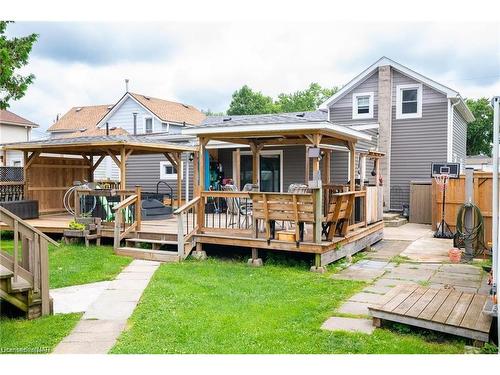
x=78, y=118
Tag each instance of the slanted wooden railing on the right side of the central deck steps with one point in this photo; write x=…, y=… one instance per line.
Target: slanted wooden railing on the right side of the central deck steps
x=187, y=225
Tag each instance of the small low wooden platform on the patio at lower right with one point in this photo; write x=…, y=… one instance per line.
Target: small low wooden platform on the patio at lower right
x=444, y=310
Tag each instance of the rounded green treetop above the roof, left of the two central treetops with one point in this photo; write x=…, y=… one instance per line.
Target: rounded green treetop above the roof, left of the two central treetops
x=248, y=102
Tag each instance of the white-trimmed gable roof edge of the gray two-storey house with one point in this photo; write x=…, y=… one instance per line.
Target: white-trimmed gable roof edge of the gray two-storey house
x=450, y=93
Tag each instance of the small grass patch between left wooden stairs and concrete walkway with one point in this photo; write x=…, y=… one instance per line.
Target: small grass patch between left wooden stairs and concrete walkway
x=76, y=264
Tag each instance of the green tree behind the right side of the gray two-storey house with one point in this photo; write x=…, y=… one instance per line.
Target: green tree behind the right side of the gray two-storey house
x=480, y=131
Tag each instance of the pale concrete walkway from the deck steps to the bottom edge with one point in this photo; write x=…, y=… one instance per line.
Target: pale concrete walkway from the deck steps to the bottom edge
x=105, y=319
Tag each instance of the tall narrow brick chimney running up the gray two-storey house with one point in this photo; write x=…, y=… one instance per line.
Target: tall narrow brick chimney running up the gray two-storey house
x=385, y=123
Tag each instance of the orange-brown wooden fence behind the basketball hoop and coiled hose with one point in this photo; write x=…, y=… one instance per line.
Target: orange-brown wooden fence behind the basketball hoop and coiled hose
x=455, y=197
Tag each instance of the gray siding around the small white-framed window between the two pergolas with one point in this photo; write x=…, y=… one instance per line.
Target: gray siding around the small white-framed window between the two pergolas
x=144, y=171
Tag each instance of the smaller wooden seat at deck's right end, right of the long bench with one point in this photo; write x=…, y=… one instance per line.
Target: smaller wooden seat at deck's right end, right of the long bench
x=340, y=206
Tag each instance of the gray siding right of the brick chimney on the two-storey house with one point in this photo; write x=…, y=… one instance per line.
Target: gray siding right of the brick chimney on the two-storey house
x=416, y=143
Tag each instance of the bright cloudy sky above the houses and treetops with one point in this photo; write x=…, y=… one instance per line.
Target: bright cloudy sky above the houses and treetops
x=202, y=64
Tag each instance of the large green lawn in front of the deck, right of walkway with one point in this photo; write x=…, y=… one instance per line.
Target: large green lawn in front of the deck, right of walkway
x=227, y=307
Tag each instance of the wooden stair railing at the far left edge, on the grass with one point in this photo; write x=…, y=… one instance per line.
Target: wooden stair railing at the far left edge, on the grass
x=32, y=264
